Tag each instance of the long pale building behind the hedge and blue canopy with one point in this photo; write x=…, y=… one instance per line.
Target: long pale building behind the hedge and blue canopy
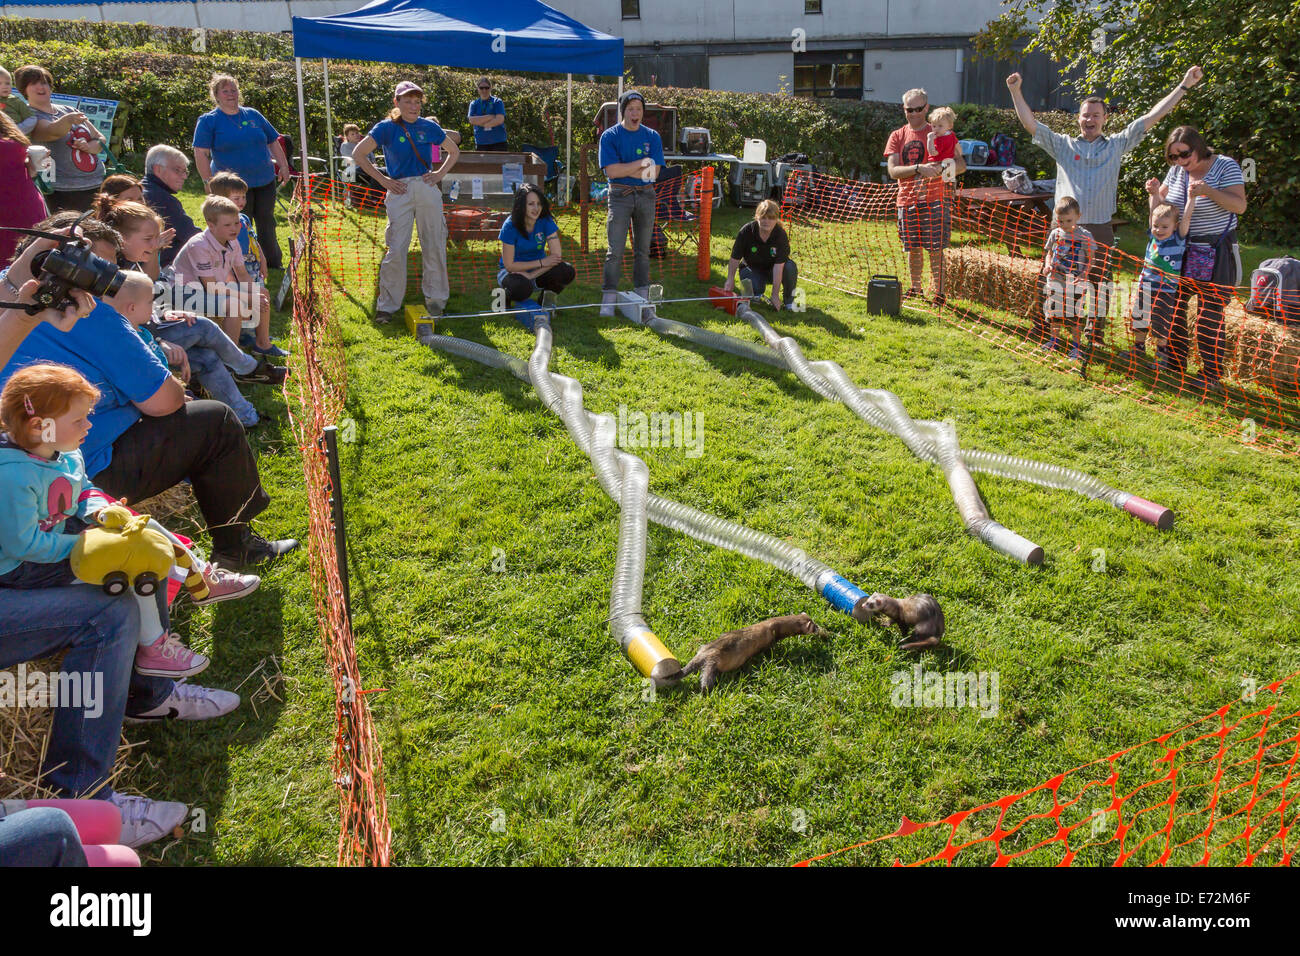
x=846, y=49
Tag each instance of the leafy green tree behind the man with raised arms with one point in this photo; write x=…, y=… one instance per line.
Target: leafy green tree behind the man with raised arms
x=1136, y=51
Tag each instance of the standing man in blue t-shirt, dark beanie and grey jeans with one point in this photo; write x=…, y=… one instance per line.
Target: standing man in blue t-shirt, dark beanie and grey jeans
x=632, y=159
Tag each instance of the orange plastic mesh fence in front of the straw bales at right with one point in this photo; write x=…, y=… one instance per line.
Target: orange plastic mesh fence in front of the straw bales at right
x=998, y=284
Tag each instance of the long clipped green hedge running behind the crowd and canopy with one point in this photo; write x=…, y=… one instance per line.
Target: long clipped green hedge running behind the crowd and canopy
x=164, y=85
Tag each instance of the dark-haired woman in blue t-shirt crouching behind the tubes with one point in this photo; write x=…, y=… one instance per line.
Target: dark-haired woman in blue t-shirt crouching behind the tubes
x=531, y=254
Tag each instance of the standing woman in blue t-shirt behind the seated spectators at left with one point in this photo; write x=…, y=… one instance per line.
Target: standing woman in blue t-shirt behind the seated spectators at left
x=242, y=141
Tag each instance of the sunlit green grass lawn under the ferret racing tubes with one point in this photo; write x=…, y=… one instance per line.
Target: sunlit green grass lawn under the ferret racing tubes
x=514, y=732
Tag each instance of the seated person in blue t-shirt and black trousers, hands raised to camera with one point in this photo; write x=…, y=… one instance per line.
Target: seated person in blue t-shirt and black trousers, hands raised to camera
x=145, y=436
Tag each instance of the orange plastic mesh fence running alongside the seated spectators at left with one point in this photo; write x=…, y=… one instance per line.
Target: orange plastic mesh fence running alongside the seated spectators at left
x=315, y=396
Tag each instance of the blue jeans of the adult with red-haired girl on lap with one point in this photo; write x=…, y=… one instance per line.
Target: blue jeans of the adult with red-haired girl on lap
x=101, y=635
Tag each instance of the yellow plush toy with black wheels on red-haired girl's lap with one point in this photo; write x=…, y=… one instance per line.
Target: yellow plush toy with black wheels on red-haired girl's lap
x=125, y=552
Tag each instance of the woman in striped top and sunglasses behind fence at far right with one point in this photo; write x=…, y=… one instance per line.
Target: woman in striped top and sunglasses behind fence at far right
x=1219, y=188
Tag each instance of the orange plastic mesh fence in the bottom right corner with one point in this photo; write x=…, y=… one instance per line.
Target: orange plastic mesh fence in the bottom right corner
x=1223, y=790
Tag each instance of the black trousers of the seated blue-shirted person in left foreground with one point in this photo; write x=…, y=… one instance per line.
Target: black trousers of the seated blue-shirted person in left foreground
x=202, y=442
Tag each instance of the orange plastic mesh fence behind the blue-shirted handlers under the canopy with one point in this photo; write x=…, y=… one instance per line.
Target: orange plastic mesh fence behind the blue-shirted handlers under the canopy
x=352, y=226
